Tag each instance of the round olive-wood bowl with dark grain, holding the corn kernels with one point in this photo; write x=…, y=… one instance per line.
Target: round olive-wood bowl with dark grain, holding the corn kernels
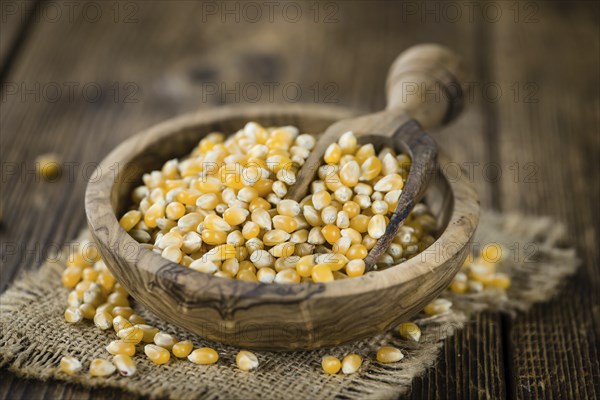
x=258, y=315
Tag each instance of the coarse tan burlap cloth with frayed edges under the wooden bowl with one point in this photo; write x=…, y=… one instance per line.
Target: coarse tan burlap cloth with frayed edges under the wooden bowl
x=35, y=335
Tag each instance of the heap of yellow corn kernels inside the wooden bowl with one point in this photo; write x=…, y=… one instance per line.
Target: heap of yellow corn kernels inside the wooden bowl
x=222, y=210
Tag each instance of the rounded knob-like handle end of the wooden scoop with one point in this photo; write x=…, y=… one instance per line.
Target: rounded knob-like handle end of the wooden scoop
x=425, y=83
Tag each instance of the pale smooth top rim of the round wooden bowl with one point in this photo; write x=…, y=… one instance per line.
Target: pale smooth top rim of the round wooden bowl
x=98, y=203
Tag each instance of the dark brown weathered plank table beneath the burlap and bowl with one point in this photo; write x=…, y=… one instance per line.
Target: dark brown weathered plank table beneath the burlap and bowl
x=79, y=77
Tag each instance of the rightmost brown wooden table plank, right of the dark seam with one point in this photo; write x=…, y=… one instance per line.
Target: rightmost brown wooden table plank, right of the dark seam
x=550, y=134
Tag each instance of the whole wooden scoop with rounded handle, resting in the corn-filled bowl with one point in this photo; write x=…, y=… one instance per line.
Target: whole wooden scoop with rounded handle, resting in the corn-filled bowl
x=423, y=91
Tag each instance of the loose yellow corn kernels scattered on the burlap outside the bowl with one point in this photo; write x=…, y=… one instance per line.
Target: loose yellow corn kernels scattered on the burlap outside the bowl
x=96, y=297
